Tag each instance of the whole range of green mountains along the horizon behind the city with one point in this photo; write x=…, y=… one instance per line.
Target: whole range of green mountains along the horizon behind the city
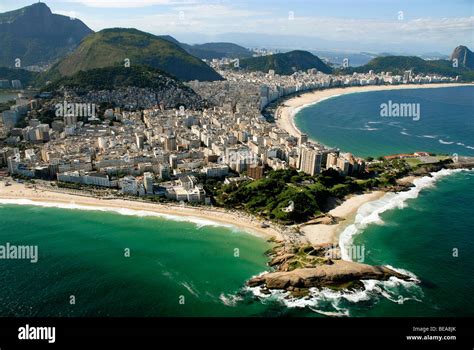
x=36, y=36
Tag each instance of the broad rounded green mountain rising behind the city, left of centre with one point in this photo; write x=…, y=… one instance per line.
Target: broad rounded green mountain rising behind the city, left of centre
x=117, y=46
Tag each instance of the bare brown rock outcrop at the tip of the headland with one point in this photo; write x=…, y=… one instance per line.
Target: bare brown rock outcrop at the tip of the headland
x=338, y=273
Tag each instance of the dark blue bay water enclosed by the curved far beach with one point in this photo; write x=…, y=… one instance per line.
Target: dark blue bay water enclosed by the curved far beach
x=353, y=122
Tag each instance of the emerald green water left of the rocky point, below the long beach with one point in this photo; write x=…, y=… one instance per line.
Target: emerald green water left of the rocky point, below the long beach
x=124, y=264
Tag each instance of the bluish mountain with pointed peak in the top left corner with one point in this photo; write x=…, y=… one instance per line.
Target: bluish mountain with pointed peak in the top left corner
x=36, y=36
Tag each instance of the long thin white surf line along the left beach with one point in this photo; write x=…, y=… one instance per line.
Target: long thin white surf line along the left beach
x=199, y=222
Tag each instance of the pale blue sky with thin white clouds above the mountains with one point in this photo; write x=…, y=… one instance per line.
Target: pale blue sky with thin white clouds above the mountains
x=403, y=26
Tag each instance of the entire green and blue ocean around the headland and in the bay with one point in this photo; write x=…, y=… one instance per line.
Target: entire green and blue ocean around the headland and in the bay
x=192, y=268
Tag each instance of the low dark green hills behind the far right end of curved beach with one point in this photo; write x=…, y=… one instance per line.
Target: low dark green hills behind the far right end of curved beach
x=399, y=64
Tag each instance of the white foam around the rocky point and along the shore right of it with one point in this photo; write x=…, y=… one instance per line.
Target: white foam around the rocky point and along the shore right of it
x=334, y=303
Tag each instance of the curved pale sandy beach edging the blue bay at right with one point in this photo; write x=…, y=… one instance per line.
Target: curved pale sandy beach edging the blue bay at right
x=285, y=113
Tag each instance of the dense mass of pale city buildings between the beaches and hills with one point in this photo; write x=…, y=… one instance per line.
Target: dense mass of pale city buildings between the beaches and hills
x=146, y=149
